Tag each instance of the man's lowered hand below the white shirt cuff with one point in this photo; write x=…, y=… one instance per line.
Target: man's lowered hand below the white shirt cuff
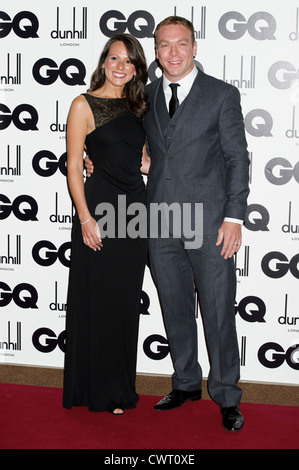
x=230, y=233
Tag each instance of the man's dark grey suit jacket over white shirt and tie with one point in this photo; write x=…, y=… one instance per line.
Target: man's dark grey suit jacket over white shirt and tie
x=201, y=154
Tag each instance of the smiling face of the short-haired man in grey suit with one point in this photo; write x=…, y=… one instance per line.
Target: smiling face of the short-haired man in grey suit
x=175, y=51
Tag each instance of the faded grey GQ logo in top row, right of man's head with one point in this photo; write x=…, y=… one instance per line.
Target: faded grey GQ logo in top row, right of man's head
x=240, y=27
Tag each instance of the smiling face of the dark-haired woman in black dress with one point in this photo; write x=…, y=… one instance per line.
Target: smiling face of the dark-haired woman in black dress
x=118, y=68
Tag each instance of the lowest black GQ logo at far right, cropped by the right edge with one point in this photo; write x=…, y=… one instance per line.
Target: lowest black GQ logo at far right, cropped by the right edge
x=278, y=355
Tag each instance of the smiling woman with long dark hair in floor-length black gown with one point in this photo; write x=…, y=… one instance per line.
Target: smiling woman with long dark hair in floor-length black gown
x=106, y=273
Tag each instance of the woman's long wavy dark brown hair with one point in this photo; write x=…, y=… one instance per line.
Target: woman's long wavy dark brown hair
x=134, y=90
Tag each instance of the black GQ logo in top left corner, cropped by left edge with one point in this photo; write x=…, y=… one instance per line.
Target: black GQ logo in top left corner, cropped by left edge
x=24, y=32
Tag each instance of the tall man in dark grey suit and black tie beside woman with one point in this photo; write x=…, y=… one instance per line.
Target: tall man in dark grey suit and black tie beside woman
x=198, y=155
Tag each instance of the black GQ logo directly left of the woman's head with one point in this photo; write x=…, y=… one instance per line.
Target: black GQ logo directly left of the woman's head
x=64, y=71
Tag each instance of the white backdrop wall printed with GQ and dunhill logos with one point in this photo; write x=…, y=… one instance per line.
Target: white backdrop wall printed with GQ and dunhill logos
x=48, y=51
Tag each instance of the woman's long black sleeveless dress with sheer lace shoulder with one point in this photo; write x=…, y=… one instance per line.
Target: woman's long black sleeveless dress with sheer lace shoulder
x=104, y=292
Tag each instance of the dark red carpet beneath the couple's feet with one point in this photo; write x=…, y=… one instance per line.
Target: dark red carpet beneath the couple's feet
x=33, y=418
